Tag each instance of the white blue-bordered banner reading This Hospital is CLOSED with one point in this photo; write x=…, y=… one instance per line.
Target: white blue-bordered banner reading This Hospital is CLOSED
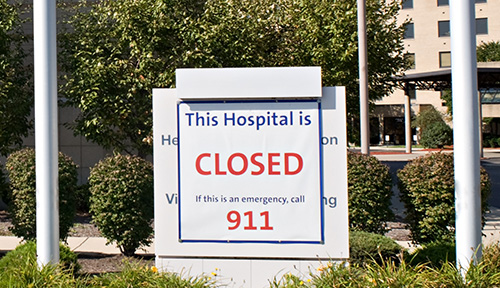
x=250, y=171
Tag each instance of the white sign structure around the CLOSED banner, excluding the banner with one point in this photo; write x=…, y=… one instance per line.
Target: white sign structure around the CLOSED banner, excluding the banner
x=250, y=264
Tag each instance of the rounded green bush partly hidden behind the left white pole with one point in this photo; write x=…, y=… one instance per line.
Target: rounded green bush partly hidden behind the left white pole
x=21, y=168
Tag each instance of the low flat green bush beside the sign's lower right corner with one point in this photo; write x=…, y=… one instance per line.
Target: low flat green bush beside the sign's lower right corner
x=366, y=247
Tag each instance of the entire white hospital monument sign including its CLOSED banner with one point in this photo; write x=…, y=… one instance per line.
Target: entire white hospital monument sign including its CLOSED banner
x=250, y=173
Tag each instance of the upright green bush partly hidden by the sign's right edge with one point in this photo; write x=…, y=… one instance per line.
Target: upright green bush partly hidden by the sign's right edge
x=369, y=187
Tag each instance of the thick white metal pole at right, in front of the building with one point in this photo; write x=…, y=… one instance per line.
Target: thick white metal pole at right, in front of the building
x=466, y=133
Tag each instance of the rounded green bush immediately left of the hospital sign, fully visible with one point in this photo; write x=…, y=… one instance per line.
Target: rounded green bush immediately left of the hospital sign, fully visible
x=121, y=201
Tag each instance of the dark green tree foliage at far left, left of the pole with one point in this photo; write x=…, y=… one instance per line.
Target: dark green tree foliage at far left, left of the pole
x=16, y=95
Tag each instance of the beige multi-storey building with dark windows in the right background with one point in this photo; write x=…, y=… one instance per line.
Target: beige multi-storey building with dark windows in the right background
x=427, y=42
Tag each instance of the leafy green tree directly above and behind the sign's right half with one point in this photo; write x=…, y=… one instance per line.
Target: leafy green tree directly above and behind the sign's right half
x=309, y=33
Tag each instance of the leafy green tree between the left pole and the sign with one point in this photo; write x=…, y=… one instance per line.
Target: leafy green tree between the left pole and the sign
x=114, y=53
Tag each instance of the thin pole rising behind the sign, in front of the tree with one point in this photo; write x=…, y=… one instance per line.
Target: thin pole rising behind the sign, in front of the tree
x=364, y=113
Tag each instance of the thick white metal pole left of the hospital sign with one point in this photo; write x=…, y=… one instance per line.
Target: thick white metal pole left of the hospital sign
x=47, y=202
